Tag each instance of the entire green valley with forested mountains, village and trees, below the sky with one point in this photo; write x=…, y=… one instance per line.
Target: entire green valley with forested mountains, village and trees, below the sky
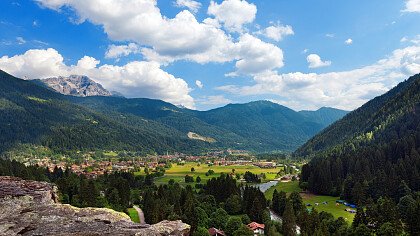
x=131, y=154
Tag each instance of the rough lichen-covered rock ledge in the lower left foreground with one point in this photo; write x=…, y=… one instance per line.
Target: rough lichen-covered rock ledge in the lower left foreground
x=31, y=208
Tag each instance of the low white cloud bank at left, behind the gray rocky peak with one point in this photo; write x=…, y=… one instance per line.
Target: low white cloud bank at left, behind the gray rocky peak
x=134, y=79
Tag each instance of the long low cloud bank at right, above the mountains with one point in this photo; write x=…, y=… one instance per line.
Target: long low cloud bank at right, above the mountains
x=345, y=89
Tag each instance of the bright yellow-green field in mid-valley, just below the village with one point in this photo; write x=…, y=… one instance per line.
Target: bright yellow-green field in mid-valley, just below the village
x=178, y=172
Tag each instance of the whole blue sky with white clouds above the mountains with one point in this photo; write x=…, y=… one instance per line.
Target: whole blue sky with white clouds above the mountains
x=205, y=54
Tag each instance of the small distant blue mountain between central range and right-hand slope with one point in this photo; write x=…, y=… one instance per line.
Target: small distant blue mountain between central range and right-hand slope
x=325, y=115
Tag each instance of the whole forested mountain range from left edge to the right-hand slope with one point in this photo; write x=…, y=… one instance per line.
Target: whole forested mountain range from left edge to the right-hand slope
x=35, y=114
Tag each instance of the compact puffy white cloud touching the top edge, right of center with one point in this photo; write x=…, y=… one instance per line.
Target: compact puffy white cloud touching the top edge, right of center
x=233, y=13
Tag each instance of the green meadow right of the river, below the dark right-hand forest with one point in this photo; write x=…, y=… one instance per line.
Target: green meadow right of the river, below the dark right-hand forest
x=331, y=207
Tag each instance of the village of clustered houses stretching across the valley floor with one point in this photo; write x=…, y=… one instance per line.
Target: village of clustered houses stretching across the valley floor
x=91, y=166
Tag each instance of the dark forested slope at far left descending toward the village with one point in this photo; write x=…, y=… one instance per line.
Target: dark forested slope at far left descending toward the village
x=32, y=114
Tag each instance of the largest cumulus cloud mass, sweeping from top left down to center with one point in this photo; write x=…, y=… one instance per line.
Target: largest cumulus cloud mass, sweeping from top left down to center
x=180, y=38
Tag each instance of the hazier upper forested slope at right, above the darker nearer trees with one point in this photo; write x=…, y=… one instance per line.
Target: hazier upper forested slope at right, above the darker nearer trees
x=372, y=119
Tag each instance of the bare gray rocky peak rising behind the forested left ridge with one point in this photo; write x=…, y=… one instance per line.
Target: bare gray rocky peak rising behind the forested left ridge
x=76, y=85
